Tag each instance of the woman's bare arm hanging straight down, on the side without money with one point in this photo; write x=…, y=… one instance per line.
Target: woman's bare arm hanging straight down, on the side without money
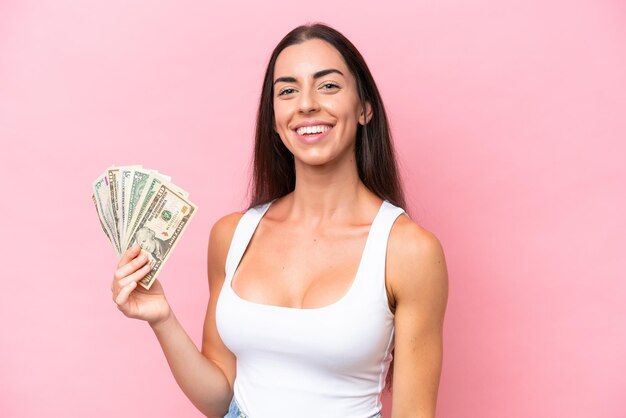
x=417, y=281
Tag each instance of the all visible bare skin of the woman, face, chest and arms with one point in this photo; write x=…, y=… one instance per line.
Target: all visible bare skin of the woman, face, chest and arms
x=327, y=217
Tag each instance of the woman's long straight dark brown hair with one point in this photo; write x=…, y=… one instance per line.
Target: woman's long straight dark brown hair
x=274, y=173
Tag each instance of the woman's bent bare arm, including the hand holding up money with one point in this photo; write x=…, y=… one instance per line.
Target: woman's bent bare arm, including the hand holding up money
x=206, y=376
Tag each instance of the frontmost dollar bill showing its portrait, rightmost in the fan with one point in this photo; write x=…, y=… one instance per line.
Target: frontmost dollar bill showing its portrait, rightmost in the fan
x=160, y=227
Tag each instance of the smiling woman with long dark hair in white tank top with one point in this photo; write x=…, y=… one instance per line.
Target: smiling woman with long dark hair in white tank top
x=324, y=279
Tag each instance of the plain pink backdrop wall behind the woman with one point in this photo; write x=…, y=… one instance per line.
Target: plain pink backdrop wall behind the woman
x=510, y=122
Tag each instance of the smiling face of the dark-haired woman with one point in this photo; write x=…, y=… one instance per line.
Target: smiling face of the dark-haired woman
x=316, y=104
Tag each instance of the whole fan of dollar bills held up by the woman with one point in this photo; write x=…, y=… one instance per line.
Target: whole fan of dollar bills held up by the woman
x=139, y=205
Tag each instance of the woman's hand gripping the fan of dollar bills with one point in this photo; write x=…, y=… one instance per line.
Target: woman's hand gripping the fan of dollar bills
x=134, y=301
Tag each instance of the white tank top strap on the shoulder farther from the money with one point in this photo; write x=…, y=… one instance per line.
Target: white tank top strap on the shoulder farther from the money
x=375, y=253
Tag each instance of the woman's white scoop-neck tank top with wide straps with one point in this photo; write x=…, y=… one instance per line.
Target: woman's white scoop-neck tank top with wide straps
x=320, y=362
